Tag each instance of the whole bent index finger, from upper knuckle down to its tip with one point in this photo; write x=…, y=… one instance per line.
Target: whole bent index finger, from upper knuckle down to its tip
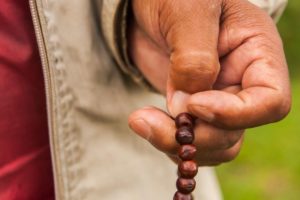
x=262, y=70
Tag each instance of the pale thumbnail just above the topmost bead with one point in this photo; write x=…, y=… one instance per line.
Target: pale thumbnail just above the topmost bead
x=178, y=103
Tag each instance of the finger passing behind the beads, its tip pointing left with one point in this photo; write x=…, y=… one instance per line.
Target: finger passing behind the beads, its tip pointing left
x=158, y=128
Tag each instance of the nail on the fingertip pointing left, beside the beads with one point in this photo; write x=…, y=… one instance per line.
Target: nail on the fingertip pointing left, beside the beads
x=141, y=127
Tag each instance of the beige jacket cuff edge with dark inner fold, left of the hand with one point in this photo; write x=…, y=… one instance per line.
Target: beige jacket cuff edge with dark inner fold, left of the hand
x=113, y=21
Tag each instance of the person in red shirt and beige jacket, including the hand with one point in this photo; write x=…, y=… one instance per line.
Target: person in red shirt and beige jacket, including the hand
x=220, y=60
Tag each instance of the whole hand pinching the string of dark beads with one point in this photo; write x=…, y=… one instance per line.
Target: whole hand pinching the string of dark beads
x=181, y=44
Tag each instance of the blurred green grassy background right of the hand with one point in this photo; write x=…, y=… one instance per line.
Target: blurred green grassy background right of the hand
x=268, y=167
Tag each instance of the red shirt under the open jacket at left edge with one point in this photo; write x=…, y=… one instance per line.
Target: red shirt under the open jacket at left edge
x=25, y=163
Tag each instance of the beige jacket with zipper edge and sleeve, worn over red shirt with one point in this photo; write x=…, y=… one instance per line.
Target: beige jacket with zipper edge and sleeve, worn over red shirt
x=94, y=155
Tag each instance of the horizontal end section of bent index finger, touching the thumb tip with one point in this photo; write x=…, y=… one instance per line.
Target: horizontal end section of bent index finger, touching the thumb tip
x=251, y=107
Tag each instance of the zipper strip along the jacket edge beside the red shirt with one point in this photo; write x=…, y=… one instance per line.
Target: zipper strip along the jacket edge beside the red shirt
x=34, y=8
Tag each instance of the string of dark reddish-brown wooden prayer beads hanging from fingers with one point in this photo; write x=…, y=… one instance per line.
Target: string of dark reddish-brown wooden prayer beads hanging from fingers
x=187, y=167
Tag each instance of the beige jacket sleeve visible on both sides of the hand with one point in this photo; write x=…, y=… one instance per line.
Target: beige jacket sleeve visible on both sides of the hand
x=113, y=15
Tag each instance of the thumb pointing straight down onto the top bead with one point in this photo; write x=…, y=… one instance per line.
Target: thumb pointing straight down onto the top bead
x=191, y=31
